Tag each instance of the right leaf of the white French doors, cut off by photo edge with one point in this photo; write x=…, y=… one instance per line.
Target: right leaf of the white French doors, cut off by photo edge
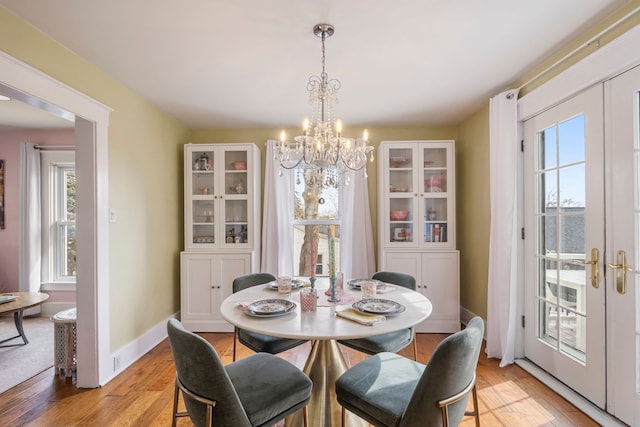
x=622, y=98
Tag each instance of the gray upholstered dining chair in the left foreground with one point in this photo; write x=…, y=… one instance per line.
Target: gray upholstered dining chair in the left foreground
x=259, y=390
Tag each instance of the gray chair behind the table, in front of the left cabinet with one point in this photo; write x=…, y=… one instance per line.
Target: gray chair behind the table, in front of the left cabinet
x=255, y=341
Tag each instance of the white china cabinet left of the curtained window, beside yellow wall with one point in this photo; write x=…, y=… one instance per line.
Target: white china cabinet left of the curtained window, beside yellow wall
x=221, y=228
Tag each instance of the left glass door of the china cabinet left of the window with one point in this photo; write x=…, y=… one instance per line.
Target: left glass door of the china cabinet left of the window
x=203, y=212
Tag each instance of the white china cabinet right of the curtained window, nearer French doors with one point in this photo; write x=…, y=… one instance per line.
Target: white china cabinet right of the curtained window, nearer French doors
x=416, y=223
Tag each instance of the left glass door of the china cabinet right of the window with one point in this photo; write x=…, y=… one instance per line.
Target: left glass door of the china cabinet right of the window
x=402, y=207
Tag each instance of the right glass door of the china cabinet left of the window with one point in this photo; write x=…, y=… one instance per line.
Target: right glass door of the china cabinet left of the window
x=236, y=201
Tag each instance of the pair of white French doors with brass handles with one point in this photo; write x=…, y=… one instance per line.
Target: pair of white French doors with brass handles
x=582, y=255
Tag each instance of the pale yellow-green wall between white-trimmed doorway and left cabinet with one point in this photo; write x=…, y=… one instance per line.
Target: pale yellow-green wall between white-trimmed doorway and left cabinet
x=145, y=185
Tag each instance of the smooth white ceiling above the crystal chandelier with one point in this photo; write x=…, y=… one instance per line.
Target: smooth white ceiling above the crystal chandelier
x=245, y=63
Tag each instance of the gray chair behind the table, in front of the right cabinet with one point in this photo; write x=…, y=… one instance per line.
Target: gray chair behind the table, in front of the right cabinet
x=391, y=341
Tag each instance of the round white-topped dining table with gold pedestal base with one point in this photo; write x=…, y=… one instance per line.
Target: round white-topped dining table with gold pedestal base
x=323, y=328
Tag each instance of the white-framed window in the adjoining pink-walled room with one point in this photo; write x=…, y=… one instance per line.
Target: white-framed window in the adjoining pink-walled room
x=58, y=218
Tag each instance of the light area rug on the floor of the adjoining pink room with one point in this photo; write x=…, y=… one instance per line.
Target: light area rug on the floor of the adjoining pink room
x=20, y=363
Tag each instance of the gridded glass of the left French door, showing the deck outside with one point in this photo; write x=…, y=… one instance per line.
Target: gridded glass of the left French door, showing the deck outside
x=561, y=237
